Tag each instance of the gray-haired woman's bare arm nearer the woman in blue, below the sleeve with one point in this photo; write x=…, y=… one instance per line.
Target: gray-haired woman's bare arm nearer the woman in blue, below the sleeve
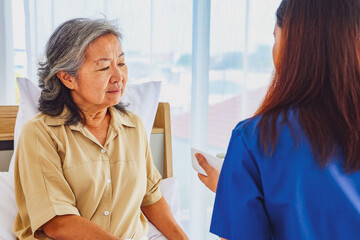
x=165, y=221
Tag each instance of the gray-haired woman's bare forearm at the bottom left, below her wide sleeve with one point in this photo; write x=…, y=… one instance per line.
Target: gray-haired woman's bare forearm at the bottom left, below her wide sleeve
x=75, y=227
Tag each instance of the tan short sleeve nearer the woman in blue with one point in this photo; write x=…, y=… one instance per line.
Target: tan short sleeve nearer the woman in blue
x=153, y=193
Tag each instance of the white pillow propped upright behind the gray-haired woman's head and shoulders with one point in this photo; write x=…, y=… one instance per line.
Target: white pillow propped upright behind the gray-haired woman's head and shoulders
x=142, y=99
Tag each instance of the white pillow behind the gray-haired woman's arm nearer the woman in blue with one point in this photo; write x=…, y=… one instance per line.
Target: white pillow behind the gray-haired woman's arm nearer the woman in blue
x=168, y=187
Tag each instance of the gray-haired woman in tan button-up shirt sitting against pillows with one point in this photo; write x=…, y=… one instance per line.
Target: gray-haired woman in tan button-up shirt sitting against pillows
x=83, y=165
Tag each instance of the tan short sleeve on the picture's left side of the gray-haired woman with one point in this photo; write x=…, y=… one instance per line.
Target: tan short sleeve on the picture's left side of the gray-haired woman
x=42, y=191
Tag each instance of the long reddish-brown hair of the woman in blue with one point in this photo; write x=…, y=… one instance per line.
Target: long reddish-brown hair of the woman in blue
x=318, y=74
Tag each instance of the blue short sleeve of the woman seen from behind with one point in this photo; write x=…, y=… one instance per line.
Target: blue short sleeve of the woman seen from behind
x=239, y=211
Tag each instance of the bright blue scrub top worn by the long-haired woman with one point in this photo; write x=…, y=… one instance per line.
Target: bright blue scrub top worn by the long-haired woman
x=286, y=195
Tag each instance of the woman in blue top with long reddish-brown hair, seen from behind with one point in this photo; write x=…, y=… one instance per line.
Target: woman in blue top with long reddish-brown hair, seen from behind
x=293, y=170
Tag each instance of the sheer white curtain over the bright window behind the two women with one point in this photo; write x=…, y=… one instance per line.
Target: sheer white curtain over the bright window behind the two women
x=213, y=58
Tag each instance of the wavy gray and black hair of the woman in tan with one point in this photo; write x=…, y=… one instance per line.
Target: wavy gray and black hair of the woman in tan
x=65, y=51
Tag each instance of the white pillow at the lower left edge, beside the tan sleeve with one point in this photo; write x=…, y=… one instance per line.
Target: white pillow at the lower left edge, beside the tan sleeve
x=8, y=208
